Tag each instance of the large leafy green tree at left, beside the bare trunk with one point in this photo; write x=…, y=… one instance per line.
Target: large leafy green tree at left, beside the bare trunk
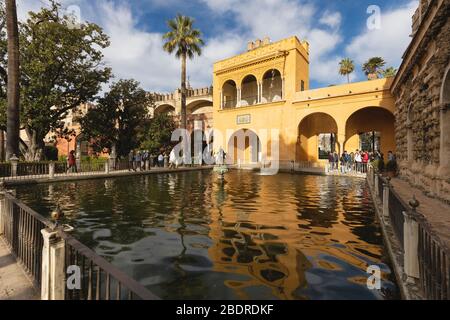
x=61, y=68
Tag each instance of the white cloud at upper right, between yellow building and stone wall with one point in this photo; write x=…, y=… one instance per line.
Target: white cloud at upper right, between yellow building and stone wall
x=389, y=41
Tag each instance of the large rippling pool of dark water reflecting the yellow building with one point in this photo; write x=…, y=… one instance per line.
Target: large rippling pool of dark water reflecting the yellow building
x=188, y=236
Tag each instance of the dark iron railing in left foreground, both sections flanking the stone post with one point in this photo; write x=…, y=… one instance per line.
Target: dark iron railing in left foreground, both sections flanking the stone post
x=21, y=227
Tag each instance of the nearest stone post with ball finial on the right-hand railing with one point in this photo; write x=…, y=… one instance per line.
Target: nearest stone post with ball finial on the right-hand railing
x=411, y=243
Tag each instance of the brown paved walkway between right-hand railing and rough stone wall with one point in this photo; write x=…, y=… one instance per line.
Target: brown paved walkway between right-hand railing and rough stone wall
x=436, y=212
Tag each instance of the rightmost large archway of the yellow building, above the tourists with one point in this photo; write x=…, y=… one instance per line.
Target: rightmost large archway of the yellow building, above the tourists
x=370, y=129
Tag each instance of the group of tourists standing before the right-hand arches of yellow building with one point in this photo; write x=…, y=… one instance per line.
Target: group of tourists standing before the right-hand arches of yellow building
x=354, y=162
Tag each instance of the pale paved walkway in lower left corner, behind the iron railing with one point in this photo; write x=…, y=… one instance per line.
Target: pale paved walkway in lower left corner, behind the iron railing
x=14, y=284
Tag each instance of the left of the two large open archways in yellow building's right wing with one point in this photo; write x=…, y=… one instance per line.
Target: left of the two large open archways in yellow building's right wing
x=316, y=137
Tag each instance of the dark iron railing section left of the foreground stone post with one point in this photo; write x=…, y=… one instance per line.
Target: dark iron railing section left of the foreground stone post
x=21, y=228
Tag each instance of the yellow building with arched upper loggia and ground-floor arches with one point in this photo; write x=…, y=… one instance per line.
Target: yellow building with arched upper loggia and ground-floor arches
x=263, y=95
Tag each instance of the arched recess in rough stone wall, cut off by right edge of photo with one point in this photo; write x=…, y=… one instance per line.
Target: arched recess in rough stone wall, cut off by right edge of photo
x=444, y=154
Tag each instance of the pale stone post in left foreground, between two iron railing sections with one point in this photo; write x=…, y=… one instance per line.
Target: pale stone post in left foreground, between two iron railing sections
x=53, y=273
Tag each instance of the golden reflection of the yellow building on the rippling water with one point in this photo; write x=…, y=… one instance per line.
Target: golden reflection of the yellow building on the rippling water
x=279, y=253
